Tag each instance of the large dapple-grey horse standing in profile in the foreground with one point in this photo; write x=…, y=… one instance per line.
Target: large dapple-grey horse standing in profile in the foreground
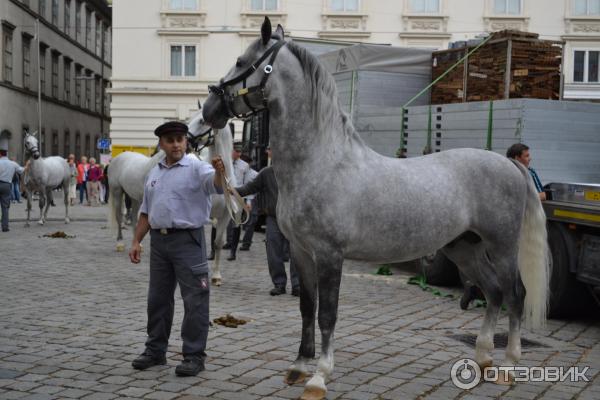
x=339, y=199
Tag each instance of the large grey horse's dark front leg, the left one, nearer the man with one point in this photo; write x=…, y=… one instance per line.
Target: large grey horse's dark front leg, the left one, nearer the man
x=307, y=275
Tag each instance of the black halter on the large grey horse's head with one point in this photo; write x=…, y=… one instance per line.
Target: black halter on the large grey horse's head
x=245, y=92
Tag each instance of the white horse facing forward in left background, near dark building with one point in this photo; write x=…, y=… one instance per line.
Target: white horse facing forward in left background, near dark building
x=44, y=175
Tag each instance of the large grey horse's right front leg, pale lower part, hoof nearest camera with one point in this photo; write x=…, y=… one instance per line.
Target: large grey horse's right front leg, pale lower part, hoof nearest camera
x=329, y=272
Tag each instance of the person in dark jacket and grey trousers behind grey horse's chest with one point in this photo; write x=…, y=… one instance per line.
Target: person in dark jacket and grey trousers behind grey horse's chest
x=265, y=185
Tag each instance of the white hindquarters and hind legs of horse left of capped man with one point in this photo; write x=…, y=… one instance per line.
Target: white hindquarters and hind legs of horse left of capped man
x=126, y=175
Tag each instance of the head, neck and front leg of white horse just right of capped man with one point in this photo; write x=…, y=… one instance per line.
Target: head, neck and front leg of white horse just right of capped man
x=220, y=143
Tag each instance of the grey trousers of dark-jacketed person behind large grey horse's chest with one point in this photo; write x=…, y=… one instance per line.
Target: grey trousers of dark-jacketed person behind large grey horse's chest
x=276, y=243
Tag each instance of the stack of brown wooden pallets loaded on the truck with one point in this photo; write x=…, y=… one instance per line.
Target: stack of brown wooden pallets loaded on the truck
x=512, y=64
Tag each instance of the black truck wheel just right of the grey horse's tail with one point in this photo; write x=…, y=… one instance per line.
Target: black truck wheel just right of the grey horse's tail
x=565, y=291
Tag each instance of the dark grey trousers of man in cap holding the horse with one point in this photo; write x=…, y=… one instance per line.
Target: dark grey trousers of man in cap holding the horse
x=178, y=257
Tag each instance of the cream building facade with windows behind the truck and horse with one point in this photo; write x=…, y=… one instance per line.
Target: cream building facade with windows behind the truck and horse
x=144, y=93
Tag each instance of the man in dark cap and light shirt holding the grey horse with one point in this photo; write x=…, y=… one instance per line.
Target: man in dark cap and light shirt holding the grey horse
x=175, y=208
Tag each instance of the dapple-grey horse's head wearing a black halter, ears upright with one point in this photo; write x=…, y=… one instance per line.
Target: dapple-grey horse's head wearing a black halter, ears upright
x=245, y=89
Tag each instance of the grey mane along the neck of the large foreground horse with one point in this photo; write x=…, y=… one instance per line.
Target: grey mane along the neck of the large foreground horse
x=326, y=109
